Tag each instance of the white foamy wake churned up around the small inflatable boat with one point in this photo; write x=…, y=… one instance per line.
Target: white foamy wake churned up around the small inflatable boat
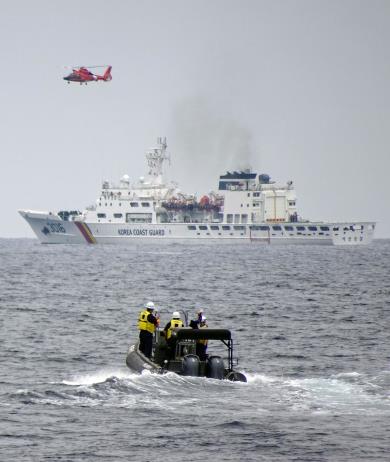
x=350, y=393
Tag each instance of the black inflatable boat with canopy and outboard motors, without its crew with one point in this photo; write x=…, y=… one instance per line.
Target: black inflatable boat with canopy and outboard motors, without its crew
x=179, y=355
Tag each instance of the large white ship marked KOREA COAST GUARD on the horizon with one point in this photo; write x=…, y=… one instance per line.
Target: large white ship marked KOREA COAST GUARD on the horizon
x=246, y=207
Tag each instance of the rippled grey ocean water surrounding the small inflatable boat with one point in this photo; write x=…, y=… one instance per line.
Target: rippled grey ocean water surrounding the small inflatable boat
x=311, y=327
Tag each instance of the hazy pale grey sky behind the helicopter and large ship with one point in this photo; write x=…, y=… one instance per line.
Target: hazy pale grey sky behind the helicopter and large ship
x=296, y=89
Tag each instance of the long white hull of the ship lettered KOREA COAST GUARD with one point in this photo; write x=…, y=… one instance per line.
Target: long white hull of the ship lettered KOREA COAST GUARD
x=51, y=229
